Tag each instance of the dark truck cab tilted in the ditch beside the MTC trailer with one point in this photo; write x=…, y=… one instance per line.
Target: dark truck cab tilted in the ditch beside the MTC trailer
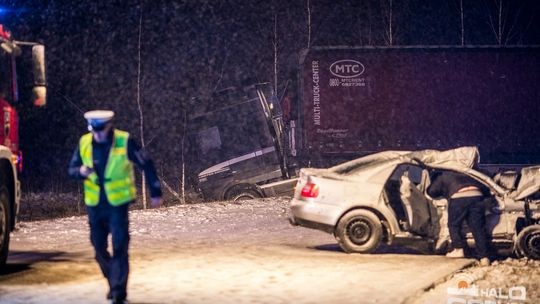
x=236, y=145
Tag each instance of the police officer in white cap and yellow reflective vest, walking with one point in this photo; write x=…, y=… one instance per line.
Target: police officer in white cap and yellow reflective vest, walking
x=104, y=161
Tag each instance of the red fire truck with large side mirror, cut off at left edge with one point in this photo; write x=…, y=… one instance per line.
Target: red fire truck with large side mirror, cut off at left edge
x=10, y=155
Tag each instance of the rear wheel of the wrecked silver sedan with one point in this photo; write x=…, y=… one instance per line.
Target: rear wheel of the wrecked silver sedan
x=359, y=231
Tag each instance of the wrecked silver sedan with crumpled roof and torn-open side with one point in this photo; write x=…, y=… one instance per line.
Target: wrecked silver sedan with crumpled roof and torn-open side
x=383, y=197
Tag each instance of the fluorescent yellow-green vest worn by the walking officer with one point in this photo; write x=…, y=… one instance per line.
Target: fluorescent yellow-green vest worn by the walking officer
x=119, y=177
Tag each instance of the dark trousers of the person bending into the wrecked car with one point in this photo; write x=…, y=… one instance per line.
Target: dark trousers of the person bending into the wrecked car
x=471, y=209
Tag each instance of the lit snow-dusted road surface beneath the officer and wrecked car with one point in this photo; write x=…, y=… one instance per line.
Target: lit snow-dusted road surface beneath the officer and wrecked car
x=214, y=253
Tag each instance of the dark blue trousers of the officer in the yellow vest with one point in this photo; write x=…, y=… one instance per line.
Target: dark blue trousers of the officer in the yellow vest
x=105, y=219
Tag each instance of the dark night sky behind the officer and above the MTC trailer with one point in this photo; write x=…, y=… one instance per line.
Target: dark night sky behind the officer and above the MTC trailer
x=193, y=48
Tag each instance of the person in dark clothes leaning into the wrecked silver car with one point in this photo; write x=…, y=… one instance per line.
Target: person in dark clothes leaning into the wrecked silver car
x=465, y=202
